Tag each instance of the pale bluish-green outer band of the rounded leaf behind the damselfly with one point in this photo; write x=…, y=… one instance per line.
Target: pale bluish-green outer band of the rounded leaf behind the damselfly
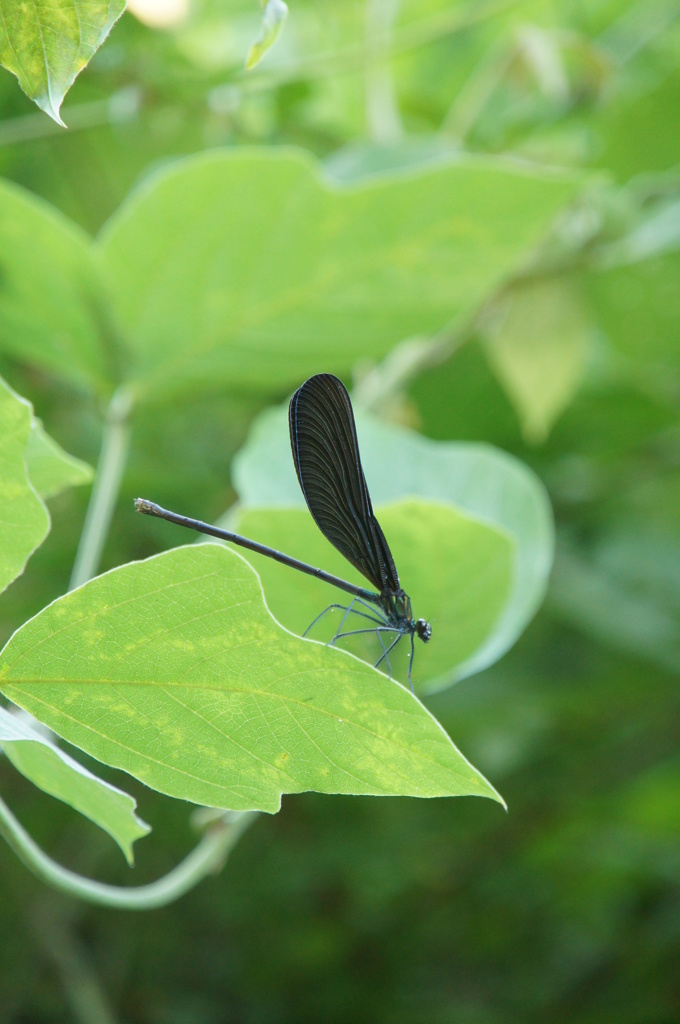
x=477, y=479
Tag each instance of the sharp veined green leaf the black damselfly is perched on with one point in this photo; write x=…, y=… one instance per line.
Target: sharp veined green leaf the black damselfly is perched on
x=174, y=670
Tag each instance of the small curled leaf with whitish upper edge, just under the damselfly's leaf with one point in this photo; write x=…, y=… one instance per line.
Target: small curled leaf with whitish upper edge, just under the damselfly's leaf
x=58, y=775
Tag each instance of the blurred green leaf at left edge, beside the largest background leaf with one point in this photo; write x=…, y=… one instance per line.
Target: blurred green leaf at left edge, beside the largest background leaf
x=52, y=301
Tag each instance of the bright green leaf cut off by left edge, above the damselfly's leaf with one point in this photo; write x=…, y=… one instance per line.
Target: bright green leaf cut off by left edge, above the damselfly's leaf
x=24, y=520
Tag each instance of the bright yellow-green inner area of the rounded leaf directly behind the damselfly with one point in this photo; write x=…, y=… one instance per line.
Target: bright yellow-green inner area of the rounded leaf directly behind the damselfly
x=457, y=571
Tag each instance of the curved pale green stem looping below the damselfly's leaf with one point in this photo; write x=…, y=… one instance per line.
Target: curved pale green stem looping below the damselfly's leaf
x=206, y=859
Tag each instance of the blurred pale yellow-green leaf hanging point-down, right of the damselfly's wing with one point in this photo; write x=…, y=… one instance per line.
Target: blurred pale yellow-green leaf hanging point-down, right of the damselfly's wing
x=537, y=344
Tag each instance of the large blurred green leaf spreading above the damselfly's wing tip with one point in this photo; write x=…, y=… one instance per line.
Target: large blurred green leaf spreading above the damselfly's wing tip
x=250, y=269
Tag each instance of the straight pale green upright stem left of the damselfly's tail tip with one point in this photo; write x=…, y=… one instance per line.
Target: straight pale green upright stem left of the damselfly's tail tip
x=115, y=444
